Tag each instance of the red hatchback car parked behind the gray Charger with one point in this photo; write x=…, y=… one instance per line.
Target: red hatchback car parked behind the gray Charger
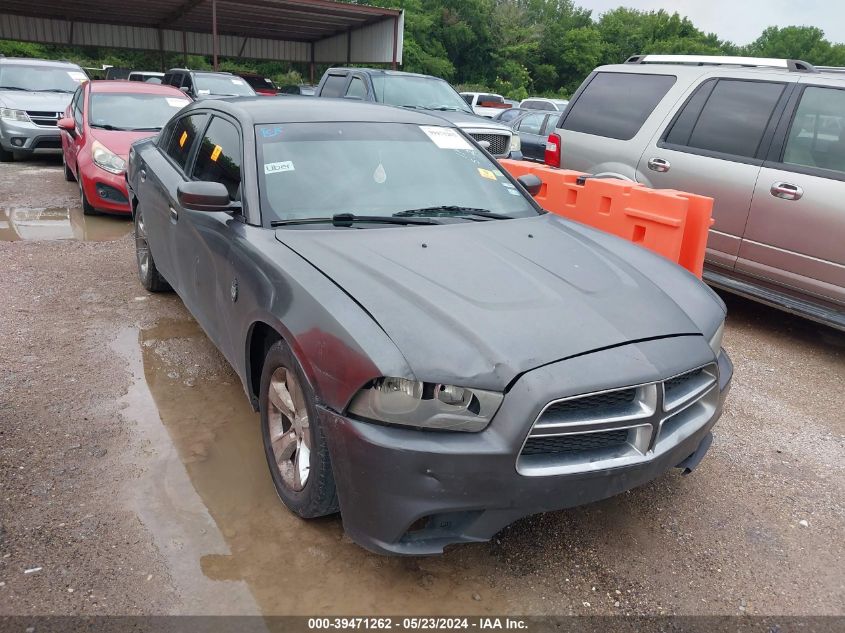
x=103, y=119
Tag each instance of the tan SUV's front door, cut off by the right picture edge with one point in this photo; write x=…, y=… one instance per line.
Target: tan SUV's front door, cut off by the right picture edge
x=795, y=236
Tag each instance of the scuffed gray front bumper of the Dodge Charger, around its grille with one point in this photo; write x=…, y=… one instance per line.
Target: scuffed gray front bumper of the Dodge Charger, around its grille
x=413, y=492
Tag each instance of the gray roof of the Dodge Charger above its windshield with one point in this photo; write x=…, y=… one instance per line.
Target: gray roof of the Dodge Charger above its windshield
x=295, y=109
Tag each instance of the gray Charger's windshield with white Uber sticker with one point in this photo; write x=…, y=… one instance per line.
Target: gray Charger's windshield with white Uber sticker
x=317, y=170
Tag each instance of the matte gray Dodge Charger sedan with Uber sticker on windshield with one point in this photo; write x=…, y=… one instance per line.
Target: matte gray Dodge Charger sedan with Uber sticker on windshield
x=432, y=354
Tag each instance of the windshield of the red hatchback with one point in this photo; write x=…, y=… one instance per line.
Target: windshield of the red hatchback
x=133, y=111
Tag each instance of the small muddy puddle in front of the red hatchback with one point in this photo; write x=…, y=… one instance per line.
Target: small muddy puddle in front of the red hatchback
x=60, y=223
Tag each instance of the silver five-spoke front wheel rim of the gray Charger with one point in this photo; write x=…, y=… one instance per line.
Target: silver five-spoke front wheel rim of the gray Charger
x=290, y=435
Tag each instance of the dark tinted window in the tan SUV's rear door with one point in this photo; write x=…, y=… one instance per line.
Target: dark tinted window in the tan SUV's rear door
x=731, y=119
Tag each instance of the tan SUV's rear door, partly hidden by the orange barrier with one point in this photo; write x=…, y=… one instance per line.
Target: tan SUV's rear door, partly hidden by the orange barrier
x=714, y=146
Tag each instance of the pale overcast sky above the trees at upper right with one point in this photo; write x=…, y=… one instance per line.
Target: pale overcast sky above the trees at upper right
x=742, y=21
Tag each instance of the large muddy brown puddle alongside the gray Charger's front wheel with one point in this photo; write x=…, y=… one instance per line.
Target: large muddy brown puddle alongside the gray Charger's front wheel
x=209, y=501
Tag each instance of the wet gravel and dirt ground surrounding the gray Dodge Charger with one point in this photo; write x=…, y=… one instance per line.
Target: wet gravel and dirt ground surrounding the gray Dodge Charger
x=132, y=478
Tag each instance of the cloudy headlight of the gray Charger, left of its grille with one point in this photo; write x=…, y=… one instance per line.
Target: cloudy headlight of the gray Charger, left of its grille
x=426, y=405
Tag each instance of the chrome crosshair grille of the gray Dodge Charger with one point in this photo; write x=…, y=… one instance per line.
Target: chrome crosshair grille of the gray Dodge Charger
x=619, y=427
